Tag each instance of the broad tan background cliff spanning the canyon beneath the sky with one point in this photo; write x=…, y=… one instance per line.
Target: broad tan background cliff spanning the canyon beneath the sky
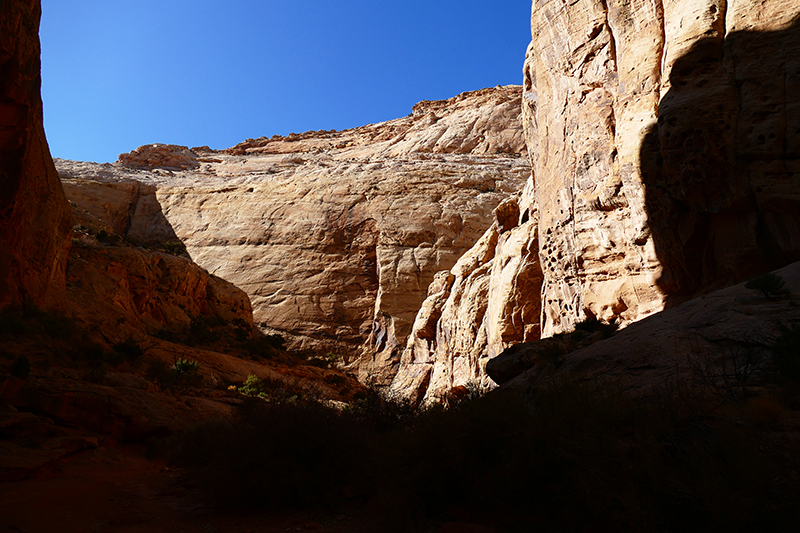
x=335, y=236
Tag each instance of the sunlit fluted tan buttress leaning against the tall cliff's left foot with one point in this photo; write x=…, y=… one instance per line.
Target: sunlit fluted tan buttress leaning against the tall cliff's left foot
x=488, y=301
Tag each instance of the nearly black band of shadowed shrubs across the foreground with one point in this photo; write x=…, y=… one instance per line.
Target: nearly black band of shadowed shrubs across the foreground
x=563, y=456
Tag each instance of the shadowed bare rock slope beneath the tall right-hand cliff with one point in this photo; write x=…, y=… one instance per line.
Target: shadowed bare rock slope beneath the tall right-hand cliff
x=704, y=342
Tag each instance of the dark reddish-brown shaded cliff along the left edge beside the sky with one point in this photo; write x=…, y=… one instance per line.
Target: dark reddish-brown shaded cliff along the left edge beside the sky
x=34, y=214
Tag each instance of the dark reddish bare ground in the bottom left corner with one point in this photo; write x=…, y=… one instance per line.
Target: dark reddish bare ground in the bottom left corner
x=119, y=489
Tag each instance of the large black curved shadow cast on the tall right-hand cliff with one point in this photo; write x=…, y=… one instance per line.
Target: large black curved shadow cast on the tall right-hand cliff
x=721, y=167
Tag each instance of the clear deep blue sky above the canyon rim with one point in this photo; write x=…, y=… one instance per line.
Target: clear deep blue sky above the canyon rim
x=119, y=73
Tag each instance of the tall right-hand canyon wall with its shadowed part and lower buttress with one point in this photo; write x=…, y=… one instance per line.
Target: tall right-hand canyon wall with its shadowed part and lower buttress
x=663, y=138
